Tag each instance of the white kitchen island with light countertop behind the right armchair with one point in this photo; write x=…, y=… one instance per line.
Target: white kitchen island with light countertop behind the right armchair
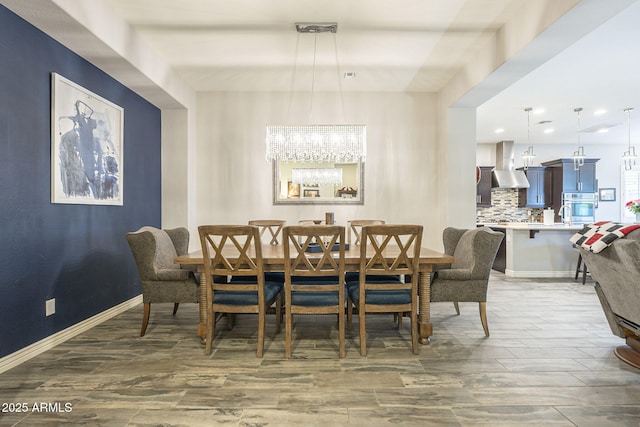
x=536, y=250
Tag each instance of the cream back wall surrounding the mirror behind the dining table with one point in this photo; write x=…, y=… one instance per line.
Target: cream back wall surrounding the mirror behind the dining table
x=234, y=181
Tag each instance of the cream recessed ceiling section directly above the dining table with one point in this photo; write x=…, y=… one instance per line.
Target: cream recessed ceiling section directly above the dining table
x=248, y=45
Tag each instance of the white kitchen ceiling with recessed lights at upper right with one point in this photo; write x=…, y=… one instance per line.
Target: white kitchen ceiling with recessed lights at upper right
x=598, y=72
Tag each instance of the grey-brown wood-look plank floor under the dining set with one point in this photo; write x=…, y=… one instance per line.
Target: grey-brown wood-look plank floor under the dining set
x=549, y=362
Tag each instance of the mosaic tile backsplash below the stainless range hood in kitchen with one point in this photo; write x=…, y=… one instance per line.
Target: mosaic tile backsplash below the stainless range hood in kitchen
x=504, y=208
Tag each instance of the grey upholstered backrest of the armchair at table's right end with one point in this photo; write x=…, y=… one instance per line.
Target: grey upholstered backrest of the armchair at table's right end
x=476, y=250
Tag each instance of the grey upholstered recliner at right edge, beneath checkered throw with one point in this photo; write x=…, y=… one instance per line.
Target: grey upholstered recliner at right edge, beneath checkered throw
x=616, y=271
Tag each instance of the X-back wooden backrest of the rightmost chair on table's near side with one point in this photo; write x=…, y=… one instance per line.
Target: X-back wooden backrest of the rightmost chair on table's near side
x=390, y=250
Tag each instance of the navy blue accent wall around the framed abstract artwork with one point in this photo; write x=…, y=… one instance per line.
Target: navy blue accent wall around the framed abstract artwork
x=76, y=254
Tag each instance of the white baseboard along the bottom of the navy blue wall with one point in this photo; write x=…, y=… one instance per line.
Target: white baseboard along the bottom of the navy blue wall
x=31, y=351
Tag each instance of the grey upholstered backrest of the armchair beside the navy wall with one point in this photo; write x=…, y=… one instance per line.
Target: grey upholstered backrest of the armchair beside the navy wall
x=155, y=249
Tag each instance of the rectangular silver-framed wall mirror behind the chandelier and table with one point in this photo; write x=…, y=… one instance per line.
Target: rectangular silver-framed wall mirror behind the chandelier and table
x=323, y=183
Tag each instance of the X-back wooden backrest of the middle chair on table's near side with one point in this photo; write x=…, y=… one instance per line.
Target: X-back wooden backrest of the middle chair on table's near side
x=308, y=251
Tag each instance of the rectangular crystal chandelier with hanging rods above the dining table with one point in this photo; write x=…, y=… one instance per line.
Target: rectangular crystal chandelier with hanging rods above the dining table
x=337, y=143
